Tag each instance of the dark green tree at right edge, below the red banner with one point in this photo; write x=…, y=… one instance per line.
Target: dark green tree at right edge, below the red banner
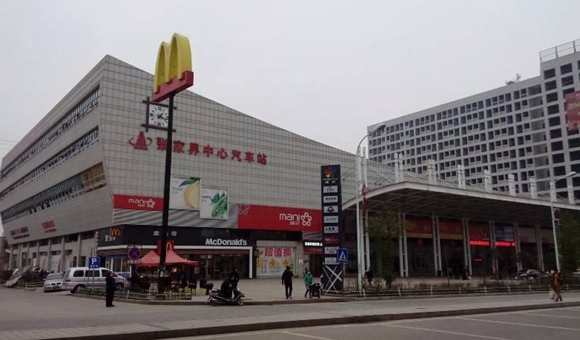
x=568, y=233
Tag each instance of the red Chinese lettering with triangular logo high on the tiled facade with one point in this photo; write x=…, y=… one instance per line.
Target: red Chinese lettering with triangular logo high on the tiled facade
x=142, y=143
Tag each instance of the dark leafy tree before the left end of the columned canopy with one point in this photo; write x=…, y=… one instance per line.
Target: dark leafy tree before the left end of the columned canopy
x=384, y=230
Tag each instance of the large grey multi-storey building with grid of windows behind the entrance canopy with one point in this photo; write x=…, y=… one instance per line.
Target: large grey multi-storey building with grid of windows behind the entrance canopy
x=519, y=129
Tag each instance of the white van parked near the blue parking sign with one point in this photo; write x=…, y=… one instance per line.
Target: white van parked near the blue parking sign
x=76, y=278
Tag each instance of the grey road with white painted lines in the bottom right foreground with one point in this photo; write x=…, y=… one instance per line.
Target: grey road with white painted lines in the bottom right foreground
x=561, y=324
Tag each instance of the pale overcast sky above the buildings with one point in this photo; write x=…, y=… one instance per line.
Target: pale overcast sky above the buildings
x=322, y=69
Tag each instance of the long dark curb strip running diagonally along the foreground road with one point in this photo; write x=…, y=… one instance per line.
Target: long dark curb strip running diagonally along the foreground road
x=203, y=331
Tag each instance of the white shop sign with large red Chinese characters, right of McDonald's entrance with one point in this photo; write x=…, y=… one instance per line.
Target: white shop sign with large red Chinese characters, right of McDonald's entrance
x=272, y=261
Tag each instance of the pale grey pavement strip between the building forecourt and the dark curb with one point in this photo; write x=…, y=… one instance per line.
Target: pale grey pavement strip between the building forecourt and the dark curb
x=56, y=315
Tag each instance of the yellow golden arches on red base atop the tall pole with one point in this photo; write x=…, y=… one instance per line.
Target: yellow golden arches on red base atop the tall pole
x=173, y=69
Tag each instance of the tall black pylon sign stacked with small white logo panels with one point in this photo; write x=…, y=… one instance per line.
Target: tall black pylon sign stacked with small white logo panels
x=331, y=194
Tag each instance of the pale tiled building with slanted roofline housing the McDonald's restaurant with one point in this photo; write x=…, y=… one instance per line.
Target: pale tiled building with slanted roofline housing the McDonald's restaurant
x=88, y=180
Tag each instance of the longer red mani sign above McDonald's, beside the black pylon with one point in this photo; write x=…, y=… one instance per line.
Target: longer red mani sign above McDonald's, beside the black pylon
x=261, y=217
